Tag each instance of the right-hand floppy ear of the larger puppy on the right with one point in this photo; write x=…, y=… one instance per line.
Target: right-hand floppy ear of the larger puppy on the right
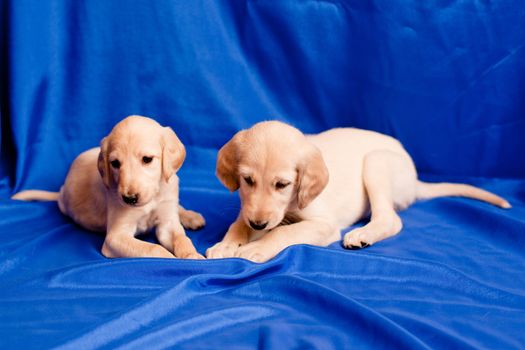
x=313, y=177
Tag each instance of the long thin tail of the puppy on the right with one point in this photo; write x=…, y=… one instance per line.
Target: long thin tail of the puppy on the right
x=432, y=190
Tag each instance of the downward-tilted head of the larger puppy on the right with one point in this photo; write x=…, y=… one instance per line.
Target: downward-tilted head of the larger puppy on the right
x=275, y=169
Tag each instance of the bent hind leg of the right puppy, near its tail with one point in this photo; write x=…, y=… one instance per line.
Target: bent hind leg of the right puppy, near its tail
x=390, y=180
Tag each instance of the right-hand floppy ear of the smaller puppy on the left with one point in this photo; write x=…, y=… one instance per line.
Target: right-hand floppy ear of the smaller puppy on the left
x=173, y=153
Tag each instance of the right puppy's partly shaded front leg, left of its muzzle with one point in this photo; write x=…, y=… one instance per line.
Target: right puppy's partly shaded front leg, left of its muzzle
x=237, y=235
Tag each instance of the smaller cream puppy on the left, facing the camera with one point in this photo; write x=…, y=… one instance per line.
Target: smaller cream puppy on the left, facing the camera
x=127, y=186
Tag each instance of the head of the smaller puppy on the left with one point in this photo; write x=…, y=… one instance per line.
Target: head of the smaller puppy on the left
x=136, y=156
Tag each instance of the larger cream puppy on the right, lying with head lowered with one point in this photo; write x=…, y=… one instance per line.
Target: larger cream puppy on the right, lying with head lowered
x=304, y=189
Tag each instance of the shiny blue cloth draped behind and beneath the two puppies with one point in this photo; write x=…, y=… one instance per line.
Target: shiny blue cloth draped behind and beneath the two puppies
x=444, y=77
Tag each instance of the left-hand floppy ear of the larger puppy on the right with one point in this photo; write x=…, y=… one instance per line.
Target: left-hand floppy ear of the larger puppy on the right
x=228, y=162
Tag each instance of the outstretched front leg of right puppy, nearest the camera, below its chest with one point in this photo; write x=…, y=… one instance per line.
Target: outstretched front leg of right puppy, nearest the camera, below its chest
x=316, y=233
